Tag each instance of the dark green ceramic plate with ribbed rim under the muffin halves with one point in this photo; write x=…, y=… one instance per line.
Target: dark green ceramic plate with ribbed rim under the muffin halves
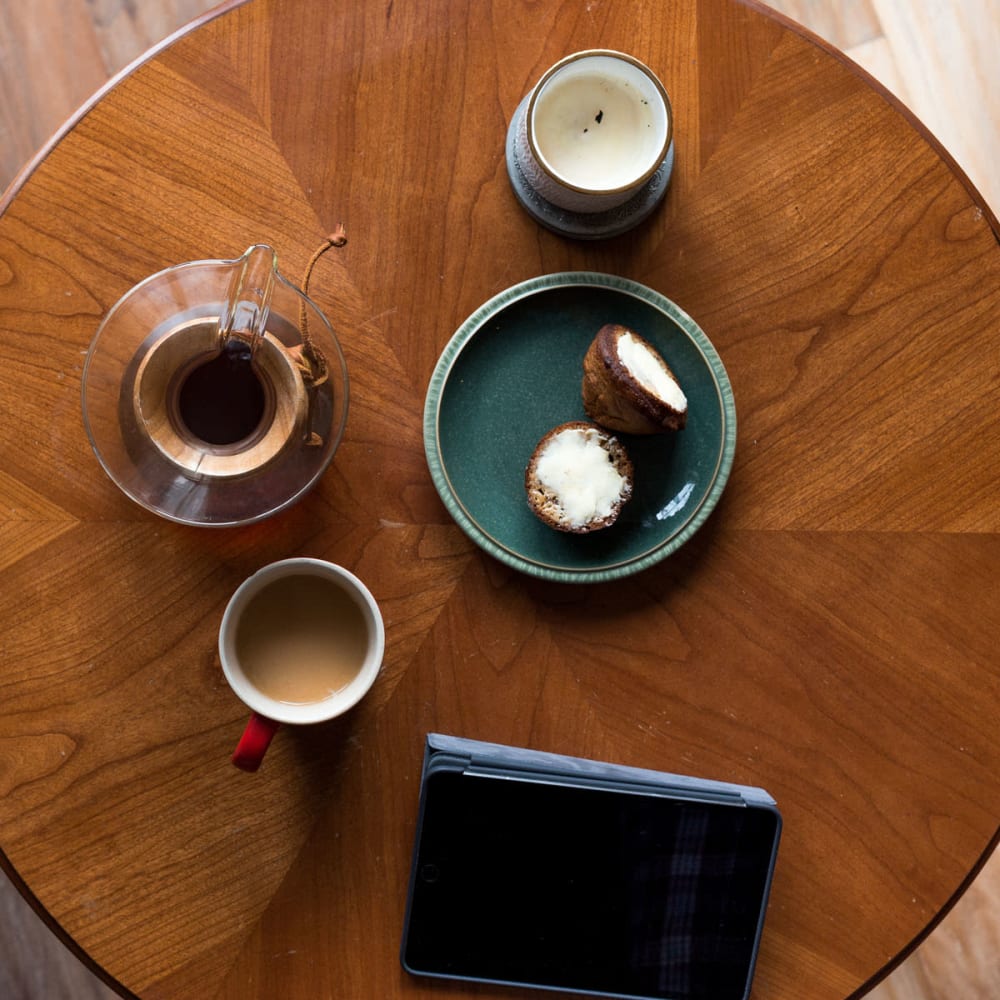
x=513, y=370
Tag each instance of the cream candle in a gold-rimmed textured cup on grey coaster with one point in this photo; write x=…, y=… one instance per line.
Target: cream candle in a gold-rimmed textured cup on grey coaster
x=593, y=131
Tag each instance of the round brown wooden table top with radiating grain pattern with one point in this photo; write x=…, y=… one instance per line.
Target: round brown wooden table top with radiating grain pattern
x=830, y=634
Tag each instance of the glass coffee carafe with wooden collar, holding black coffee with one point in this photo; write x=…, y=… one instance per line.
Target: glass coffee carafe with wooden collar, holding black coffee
x=215, y=392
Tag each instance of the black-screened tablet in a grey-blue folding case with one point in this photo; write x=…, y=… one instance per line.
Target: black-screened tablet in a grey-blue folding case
x=539, y=870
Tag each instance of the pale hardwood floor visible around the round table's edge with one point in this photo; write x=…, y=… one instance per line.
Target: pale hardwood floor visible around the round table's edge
x=935, y=55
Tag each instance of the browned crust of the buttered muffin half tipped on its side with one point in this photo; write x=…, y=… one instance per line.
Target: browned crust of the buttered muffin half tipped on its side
x=613, y=397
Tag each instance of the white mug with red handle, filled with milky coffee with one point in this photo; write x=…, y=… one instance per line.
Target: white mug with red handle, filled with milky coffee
x=285, y=607
